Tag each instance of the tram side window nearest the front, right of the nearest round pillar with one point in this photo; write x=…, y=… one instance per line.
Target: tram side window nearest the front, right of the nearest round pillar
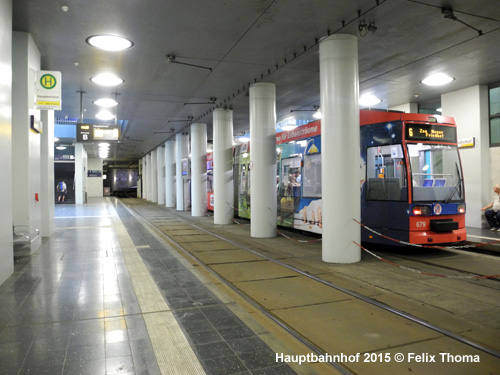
x=386, y=174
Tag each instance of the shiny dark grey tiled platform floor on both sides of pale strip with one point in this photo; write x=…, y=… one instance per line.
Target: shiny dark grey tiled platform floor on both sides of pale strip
x=71, y=307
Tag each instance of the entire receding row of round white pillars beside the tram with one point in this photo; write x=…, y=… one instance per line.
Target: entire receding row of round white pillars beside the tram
x=340, y=175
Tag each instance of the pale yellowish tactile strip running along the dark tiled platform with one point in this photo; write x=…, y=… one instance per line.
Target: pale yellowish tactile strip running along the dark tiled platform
x=172, y=350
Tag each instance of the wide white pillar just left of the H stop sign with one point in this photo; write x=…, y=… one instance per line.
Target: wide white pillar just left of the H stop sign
x=26, y=183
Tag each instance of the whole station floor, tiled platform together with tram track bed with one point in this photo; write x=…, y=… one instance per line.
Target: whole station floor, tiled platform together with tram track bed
x=129, y=287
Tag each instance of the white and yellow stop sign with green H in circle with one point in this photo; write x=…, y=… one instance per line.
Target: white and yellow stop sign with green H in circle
x=48, y=90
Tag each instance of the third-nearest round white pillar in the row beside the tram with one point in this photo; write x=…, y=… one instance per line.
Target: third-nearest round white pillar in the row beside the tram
x=223, y=166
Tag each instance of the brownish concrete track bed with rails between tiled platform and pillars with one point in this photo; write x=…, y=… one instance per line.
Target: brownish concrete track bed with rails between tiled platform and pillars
x=339, y=323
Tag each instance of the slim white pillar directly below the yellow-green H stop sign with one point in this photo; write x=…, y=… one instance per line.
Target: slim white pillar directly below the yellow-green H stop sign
x=47, y=174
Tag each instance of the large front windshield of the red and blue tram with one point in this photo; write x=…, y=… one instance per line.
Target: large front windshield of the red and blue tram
x=436, y=173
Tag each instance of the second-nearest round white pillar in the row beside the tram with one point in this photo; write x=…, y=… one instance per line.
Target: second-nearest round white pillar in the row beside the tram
x=263, y=205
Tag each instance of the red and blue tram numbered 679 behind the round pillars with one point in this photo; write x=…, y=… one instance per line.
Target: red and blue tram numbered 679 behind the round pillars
x=412, y=187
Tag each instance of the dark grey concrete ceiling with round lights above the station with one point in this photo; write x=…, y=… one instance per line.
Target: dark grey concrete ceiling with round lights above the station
x=252, y=41
